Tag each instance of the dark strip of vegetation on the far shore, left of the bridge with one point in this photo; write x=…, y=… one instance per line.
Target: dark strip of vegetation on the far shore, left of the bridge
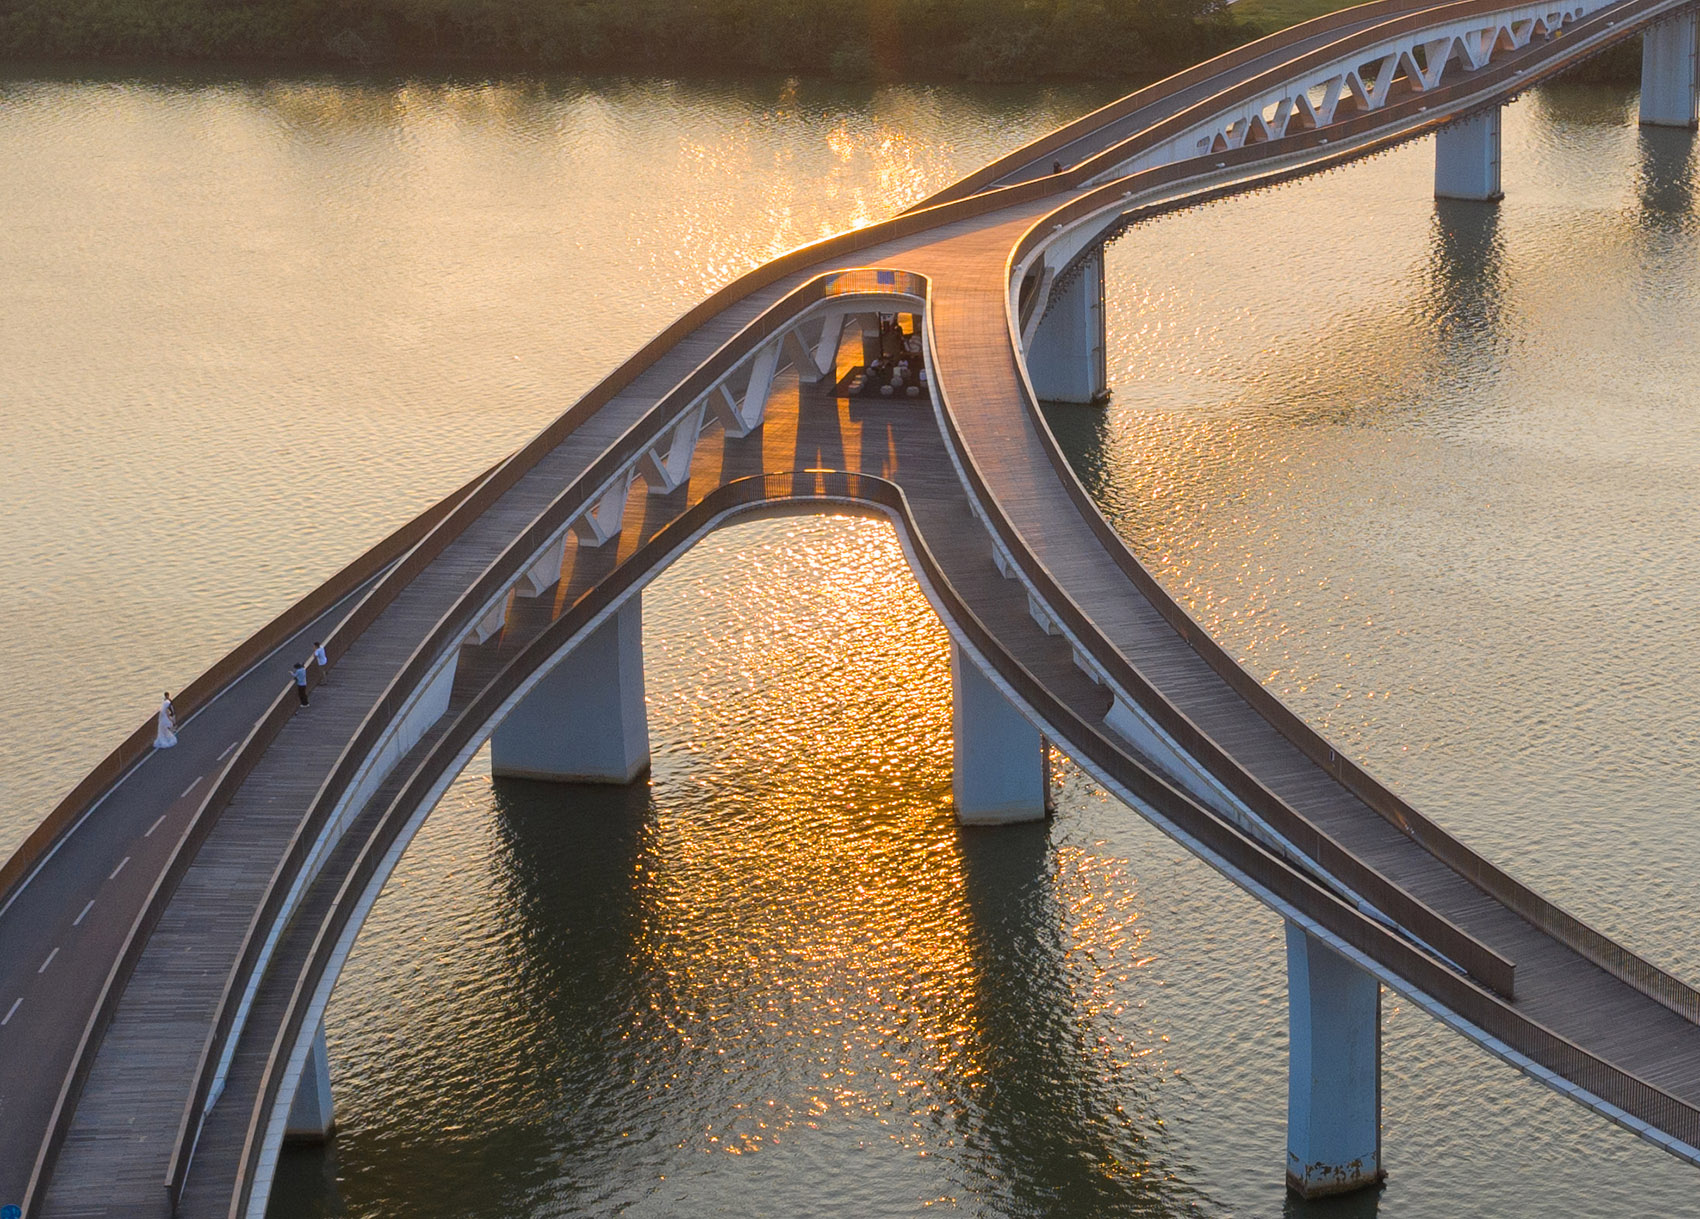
x=854, y=40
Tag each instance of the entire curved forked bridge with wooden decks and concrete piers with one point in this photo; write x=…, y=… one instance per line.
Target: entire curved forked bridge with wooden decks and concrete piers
x=176, y=927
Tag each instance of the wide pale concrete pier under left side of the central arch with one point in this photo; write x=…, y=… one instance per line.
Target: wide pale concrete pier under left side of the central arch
x=586, y=722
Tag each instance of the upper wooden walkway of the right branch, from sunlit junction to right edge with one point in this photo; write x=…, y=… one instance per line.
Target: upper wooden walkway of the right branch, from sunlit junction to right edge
x=1555, y=985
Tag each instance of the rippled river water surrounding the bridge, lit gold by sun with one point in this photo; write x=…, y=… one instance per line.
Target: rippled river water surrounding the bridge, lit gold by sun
x=1427, y=468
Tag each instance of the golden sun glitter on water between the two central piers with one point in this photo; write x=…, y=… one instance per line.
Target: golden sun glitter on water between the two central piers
x=825, y=893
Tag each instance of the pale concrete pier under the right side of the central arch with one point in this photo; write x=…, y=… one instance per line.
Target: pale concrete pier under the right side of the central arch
x=1000, y=768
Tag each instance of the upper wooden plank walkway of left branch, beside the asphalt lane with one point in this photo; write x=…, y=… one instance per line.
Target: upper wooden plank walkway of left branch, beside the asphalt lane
x=115, y=1155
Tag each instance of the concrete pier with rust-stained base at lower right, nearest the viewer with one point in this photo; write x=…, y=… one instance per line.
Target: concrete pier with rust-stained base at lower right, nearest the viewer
x=1334, y=1072
